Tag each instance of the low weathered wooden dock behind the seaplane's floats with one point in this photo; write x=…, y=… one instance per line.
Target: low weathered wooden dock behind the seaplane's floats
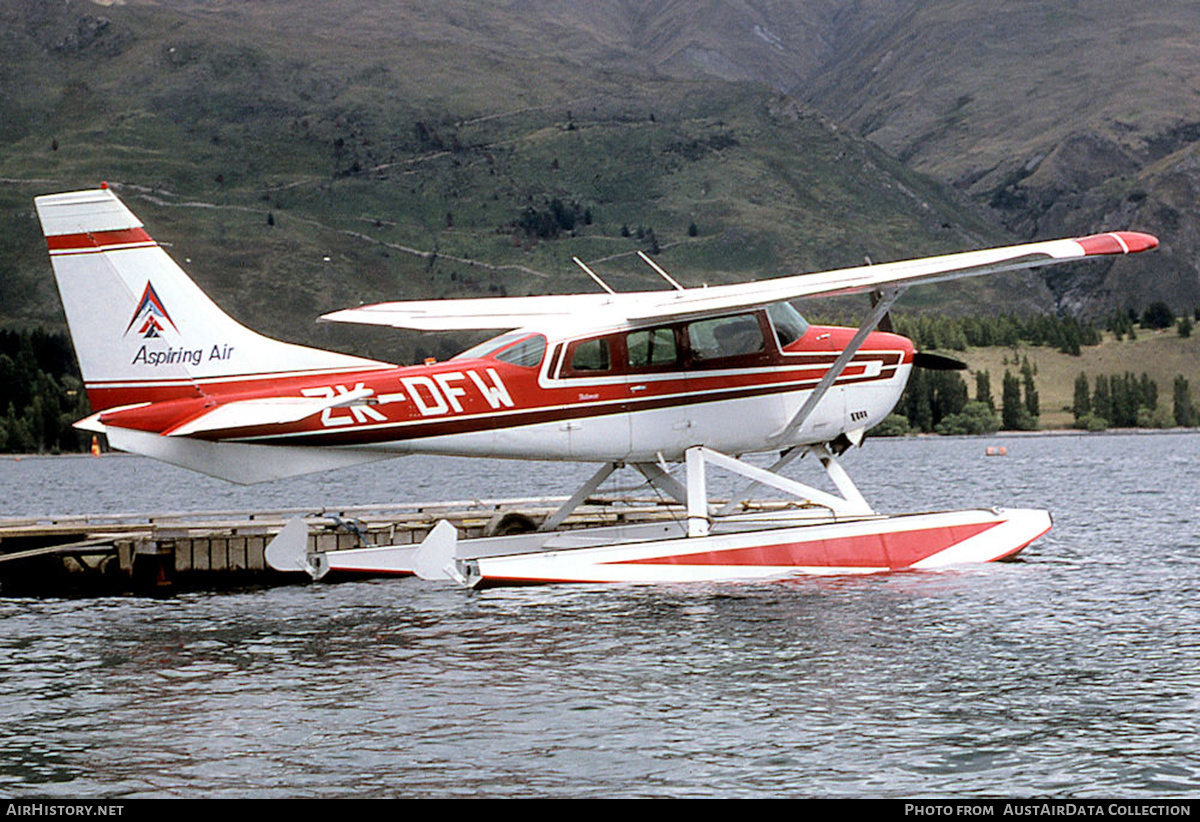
x=169, y=553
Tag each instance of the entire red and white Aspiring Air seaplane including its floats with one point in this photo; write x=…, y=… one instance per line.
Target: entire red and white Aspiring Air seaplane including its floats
x=670, y=380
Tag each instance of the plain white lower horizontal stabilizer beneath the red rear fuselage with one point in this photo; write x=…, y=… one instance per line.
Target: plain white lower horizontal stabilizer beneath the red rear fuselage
x=238, y=463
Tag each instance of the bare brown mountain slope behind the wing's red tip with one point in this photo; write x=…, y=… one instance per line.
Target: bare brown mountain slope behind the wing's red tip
x=1061, y=118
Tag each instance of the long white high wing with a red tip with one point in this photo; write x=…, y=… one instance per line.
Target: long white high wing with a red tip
x=635, y=307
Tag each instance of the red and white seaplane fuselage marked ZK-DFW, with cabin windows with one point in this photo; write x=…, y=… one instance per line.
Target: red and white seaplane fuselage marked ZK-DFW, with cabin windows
x=634, y=394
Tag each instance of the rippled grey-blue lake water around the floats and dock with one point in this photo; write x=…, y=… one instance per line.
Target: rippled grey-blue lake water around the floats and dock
x=1072, y=674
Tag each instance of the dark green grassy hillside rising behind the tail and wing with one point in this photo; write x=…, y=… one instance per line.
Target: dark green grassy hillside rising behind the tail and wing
x=305, y=157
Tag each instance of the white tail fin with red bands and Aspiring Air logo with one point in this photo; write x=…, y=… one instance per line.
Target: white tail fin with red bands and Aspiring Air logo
x=143, y=331
